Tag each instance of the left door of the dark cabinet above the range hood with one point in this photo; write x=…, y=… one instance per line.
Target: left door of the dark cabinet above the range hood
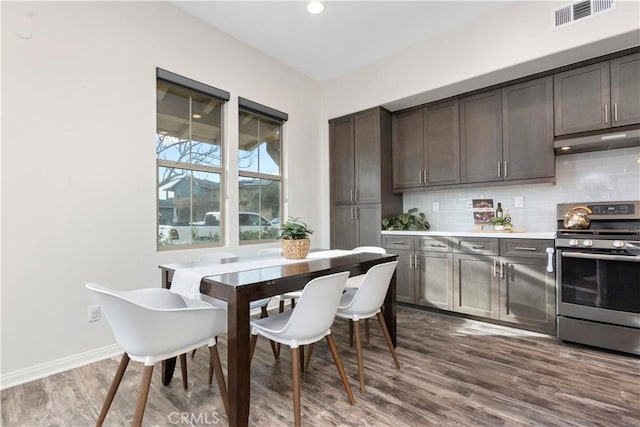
x=581, y=98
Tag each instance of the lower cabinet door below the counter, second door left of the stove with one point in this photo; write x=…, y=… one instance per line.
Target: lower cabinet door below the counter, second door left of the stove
x=476, y=286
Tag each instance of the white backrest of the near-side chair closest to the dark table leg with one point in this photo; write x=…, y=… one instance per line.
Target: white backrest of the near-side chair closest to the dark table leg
x=316, y=309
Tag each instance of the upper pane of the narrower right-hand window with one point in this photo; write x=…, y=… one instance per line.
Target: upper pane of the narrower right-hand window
x=259, y=144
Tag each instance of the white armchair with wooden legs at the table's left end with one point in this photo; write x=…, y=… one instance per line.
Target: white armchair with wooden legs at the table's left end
x=155, y=324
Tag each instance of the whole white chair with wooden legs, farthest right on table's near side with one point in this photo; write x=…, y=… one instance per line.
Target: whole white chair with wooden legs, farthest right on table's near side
x=364, y=303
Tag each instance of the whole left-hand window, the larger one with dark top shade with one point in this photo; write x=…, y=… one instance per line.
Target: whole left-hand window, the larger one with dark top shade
x=189, y=153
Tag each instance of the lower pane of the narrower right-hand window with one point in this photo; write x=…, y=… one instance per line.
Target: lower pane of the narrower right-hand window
x=259, y=208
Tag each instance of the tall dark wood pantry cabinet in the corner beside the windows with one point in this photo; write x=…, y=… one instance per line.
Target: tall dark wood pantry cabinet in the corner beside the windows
x=360, y=170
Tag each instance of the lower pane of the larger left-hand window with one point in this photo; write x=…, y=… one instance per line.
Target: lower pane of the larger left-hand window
x=189, y=207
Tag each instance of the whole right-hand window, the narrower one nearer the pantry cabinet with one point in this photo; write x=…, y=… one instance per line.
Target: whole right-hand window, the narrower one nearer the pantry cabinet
x=260, y=171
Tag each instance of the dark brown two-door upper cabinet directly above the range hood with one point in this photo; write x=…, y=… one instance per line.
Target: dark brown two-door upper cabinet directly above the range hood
x=598, y=96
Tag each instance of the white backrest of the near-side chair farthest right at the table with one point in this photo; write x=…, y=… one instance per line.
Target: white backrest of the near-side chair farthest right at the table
x=370, y=295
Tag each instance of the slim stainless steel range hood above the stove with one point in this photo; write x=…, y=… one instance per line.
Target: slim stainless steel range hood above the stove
x=608, y=141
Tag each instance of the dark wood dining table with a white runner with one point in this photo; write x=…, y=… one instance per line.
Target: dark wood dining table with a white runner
x=249, y=280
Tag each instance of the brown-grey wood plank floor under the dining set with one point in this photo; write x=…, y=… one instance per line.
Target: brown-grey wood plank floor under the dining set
x=454, y=372
